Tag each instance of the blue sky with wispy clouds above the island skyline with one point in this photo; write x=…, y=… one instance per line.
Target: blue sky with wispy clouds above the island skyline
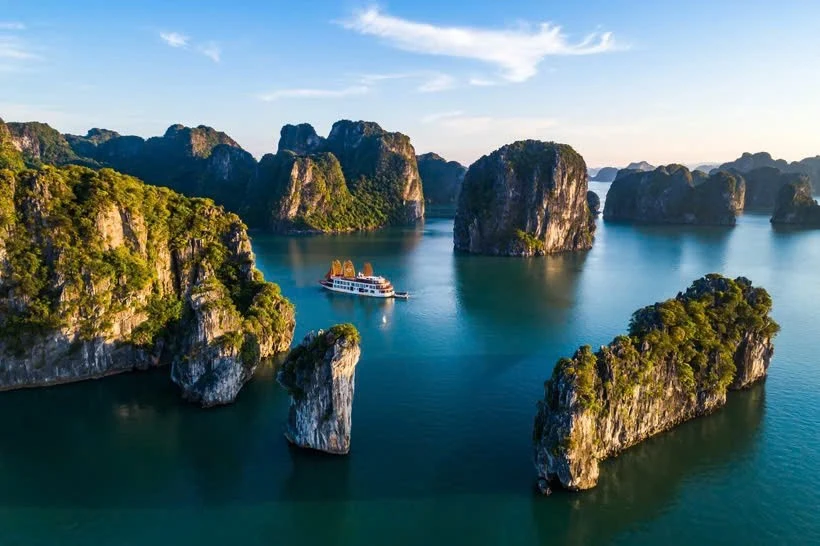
x=620, y=81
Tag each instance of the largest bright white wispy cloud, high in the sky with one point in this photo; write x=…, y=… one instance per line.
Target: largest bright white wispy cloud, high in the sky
x=517, y=52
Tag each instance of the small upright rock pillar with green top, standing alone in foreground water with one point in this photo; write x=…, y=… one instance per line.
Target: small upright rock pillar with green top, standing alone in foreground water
x=319, y=374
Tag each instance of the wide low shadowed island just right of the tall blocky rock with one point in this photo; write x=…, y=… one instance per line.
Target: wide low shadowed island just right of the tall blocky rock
x=674, y=195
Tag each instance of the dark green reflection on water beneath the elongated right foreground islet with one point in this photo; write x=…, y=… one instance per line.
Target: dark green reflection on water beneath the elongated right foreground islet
x=645, y=480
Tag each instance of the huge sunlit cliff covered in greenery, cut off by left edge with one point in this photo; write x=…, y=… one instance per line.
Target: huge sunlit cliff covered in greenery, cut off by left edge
x=101, y=273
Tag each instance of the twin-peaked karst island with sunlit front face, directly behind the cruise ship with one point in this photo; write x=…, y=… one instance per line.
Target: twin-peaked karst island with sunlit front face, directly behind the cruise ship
x=360, y=177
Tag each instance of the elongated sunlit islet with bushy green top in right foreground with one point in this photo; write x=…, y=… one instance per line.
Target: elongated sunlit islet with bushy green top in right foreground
x=677, y=363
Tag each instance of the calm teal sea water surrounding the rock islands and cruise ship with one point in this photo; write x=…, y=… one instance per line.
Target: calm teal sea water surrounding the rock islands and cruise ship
x=445, y=397
